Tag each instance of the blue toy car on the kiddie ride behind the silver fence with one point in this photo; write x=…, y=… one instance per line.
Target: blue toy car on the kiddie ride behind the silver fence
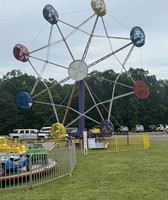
x=11, y=162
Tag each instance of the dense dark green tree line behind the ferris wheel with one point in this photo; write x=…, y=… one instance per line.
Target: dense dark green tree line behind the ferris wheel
x=128, y=110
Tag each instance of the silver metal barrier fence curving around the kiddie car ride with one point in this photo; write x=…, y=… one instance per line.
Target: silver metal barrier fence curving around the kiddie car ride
x=36, y=167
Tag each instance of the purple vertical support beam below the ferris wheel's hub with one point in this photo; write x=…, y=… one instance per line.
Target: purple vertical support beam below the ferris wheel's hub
x=81, y=104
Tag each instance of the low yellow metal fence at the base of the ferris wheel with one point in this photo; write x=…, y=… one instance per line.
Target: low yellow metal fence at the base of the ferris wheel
x=114, y=144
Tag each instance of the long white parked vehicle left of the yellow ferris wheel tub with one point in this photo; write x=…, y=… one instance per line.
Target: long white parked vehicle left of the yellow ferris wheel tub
x=28, y=134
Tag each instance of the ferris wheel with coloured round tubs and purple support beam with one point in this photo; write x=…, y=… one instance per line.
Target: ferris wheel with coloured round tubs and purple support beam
x=78, y=69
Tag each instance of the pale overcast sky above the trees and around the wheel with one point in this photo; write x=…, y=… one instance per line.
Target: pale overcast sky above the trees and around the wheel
x=22, y=22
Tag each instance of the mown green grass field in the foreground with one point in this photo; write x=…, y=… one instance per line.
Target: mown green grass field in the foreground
x=133, y=175
